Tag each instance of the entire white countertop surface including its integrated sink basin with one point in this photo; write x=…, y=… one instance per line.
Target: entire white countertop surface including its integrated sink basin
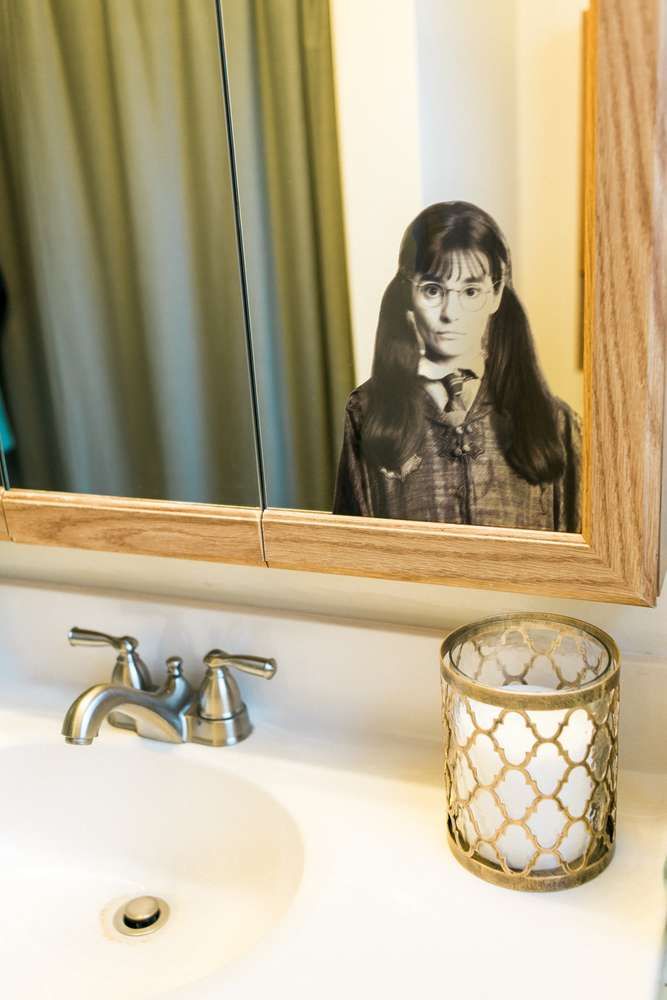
x=343, y=878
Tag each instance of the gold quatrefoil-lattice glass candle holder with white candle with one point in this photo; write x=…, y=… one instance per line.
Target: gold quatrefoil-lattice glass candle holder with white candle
x=530, y=712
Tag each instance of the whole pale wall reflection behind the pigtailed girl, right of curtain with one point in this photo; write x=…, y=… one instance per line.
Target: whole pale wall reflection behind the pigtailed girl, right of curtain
x=481, y=101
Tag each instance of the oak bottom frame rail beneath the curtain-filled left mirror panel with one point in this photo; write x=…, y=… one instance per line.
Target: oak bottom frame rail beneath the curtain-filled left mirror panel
x=144, y=527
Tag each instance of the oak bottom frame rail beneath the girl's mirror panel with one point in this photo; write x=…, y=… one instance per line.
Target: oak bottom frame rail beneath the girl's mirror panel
x=510, y=559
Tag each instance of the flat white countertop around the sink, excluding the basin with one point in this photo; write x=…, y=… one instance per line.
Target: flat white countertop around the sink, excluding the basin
x=384, y=910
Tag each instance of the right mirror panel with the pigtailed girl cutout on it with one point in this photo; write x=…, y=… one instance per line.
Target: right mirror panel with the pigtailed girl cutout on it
x=350, y=120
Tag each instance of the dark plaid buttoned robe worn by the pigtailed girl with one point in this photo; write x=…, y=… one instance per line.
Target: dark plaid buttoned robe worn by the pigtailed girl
x=460, y=474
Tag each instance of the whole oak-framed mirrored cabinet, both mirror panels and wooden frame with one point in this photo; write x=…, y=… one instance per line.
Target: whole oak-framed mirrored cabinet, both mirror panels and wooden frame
x=124, y=360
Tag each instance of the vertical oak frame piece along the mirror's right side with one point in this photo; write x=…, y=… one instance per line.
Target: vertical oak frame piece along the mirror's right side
x=627, y=348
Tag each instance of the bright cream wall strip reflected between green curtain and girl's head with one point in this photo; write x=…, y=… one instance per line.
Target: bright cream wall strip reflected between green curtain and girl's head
x=375, y=59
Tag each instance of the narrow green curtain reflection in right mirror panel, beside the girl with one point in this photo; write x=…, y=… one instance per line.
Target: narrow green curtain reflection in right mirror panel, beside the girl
x=279, y=56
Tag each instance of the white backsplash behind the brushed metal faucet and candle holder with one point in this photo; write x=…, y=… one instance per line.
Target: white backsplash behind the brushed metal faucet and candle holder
x=353, y=682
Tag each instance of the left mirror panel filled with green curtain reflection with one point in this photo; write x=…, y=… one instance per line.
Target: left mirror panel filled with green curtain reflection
x=124, y=367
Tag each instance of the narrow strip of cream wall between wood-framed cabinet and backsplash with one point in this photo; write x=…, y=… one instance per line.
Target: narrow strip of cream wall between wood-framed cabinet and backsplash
x=639, y=631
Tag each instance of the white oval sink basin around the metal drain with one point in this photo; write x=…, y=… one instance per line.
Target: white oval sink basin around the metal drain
x=84, y=830
